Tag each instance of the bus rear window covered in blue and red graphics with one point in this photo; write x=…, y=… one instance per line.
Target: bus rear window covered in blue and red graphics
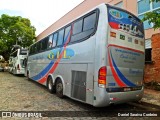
x=124, y=21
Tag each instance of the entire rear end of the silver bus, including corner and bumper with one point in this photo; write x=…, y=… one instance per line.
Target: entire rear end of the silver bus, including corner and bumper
x=123, y=58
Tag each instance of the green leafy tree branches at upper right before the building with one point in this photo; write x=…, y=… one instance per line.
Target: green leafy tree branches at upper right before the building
x=153, y=17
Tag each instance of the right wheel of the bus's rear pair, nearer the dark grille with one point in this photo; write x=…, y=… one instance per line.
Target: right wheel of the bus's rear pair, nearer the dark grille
x=59, y=89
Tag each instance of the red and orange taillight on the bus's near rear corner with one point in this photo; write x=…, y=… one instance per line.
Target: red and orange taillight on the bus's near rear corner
x=102, y=77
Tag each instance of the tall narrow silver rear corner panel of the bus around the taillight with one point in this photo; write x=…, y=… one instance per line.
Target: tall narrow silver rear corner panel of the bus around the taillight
x=99, y=95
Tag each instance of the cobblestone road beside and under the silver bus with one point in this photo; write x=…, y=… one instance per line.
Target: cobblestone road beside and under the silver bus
x=19, y=94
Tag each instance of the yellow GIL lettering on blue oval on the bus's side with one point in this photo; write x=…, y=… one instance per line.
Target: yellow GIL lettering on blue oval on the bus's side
x=55, y=54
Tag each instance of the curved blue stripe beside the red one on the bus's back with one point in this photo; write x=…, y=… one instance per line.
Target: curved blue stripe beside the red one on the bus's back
x=122, y=77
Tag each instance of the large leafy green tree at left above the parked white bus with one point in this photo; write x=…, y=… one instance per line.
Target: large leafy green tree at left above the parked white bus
x=15, y=30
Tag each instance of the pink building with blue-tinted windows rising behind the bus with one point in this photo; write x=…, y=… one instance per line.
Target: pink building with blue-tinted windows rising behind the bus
x=137, y=7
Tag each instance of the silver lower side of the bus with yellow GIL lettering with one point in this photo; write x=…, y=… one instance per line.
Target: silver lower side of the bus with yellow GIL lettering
x=79, y=61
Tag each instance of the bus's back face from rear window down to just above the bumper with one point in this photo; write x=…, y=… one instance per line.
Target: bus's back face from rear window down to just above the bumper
x=125, y=49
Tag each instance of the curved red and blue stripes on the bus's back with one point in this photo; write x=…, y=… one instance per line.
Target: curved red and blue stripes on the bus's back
x=121, y=80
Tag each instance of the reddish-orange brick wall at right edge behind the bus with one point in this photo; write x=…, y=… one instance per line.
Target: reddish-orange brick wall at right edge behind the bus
x=152, y=71
